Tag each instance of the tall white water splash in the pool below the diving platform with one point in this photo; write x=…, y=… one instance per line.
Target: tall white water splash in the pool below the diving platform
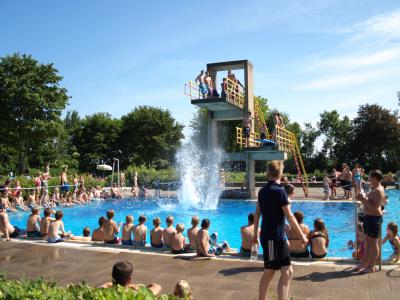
x=199, y=173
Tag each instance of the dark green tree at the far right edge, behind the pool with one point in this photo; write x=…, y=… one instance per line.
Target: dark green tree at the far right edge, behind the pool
x=376, y=138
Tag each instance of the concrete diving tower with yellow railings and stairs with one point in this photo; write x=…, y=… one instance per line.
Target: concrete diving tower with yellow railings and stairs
x=234, y=103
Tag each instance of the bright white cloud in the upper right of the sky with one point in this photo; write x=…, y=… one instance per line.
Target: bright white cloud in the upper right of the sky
x=370, y=51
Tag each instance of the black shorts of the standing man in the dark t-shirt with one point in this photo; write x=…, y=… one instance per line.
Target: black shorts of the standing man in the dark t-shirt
x=276, y=254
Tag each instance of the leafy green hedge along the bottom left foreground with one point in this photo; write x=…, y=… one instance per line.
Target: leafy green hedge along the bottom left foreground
x=43, y=290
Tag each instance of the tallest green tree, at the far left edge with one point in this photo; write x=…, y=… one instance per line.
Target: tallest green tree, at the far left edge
x=31, y=102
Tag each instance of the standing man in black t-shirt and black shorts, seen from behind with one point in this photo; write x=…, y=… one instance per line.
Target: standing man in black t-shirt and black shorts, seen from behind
x=273, y=206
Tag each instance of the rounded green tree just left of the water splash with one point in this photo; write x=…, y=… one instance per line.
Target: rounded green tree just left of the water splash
x=150, y=136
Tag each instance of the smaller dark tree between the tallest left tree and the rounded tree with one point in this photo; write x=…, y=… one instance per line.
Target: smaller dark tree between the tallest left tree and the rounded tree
x=96, y=140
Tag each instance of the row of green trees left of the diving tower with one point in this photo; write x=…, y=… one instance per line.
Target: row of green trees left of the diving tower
x=34, y=131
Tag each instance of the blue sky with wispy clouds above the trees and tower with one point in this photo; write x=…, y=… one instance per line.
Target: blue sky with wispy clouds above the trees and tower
x=308, y=56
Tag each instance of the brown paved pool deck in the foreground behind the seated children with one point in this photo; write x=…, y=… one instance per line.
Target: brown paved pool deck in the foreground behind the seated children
x=210, y=279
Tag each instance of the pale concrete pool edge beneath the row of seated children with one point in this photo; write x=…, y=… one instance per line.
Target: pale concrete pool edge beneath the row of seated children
x=99, y=247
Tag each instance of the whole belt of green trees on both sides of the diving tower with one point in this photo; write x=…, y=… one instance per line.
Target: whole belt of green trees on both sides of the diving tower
x=33, y=130
